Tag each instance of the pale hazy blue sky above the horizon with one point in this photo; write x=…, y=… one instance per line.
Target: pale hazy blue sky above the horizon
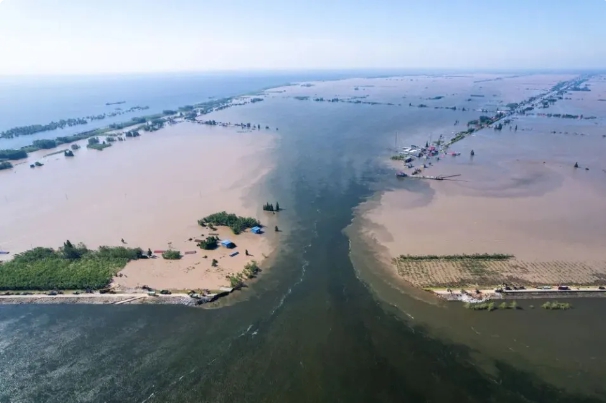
x=95, y=36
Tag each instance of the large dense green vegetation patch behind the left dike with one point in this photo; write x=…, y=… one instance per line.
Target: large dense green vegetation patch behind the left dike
x=70, y=267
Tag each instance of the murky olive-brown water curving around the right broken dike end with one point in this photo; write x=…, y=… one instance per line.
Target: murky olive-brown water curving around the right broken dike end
x=534, y=340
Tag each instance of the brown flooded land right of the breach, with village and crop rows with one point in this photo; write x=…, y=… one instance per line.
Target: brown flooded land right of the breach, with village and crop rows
x=526, y=197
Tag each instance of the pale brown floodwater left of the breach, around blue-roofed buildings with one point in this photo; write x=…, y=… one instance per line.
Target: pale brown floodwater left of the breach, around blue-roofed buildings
x=149, y=191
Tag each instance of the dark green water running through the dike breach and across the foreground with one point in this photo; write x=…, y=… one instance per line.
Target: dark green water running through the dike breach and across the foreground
x=309, y=331
